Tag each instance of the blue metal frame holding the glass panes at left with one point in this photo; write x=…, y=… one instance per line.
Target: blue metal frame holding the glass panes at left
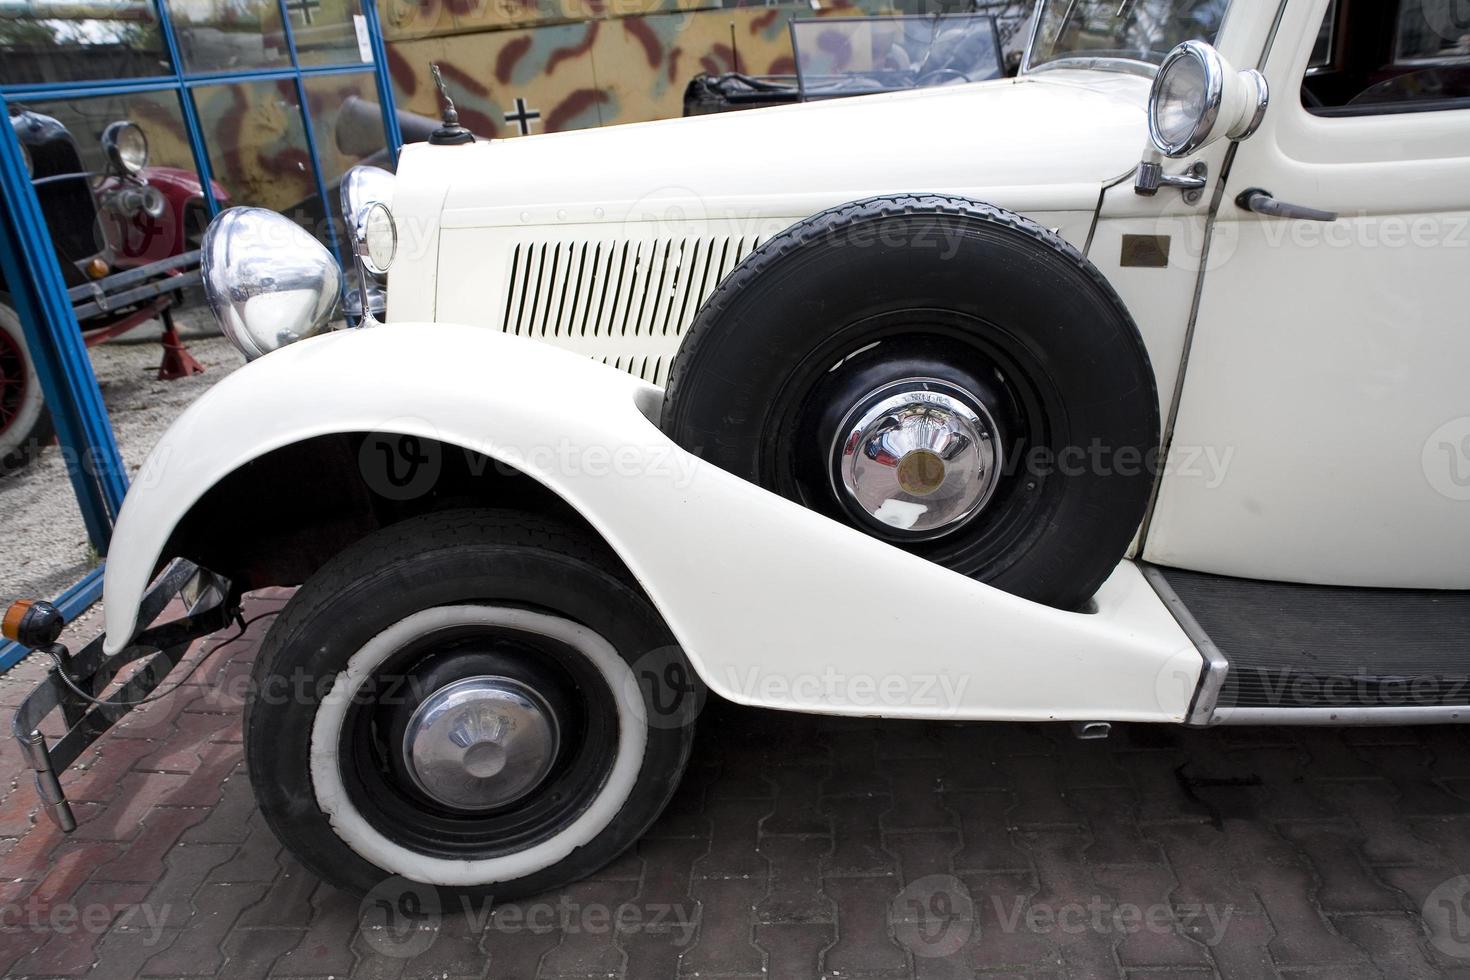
x=39, y=292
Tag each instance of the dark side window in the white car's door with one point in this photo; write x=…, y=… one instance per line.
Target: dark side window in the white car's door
x=1387, y=57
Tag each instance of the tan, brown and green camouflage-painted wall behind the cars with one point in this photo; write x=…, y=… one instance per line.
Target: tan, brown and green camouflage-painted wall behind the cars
x=514, y=67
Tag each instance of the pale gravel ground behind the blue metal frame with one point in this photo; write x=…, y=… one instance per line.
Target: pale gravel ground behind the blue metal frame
x=43, y=541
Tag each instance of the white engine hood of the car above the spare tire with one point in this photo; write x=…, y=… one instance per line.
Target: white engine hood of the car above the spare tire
x=758, y=174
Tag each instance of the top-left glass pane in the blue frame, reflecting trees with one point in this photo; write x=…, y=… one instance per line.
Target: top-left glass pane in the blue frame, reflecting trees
x=62, y=42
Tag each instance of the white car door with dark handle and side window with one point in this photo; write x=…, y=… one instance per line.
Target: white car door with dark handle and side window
x=1327, y=378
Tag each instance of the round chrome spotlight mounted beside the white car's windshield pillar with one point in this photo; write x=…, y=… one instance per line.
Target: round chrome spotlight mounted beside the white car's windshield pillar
x=1199, y=98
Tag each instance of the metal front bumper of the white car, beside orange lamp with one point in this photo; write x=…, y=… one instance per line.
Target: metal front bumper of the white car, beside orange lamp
x=90, y=672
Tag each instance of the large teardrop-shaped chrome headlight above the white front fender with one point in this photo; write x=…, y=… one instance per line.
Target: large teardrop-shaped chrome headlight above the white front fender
x=268, y=281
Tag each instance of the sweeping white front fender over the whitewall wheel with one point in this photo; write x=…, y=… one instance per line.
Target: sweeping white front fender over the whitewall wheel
x=774, y=605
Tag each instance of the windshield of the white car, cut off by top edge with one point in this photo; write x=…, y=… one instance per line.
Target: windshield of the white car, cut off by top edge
x=1140, y=32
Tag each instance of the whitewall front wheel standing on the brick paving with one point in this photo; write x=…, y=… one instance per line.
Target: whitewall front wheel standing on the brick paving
x=470, y=700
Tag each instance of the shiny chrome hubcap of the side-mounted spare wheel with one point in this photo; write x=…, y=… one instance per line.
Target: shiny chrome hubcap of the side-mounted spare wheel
x=918, y=456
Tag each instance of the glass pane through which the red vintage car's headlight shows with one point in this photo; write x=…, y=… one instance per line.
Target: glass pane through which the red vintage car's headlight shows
x=104, y=218
